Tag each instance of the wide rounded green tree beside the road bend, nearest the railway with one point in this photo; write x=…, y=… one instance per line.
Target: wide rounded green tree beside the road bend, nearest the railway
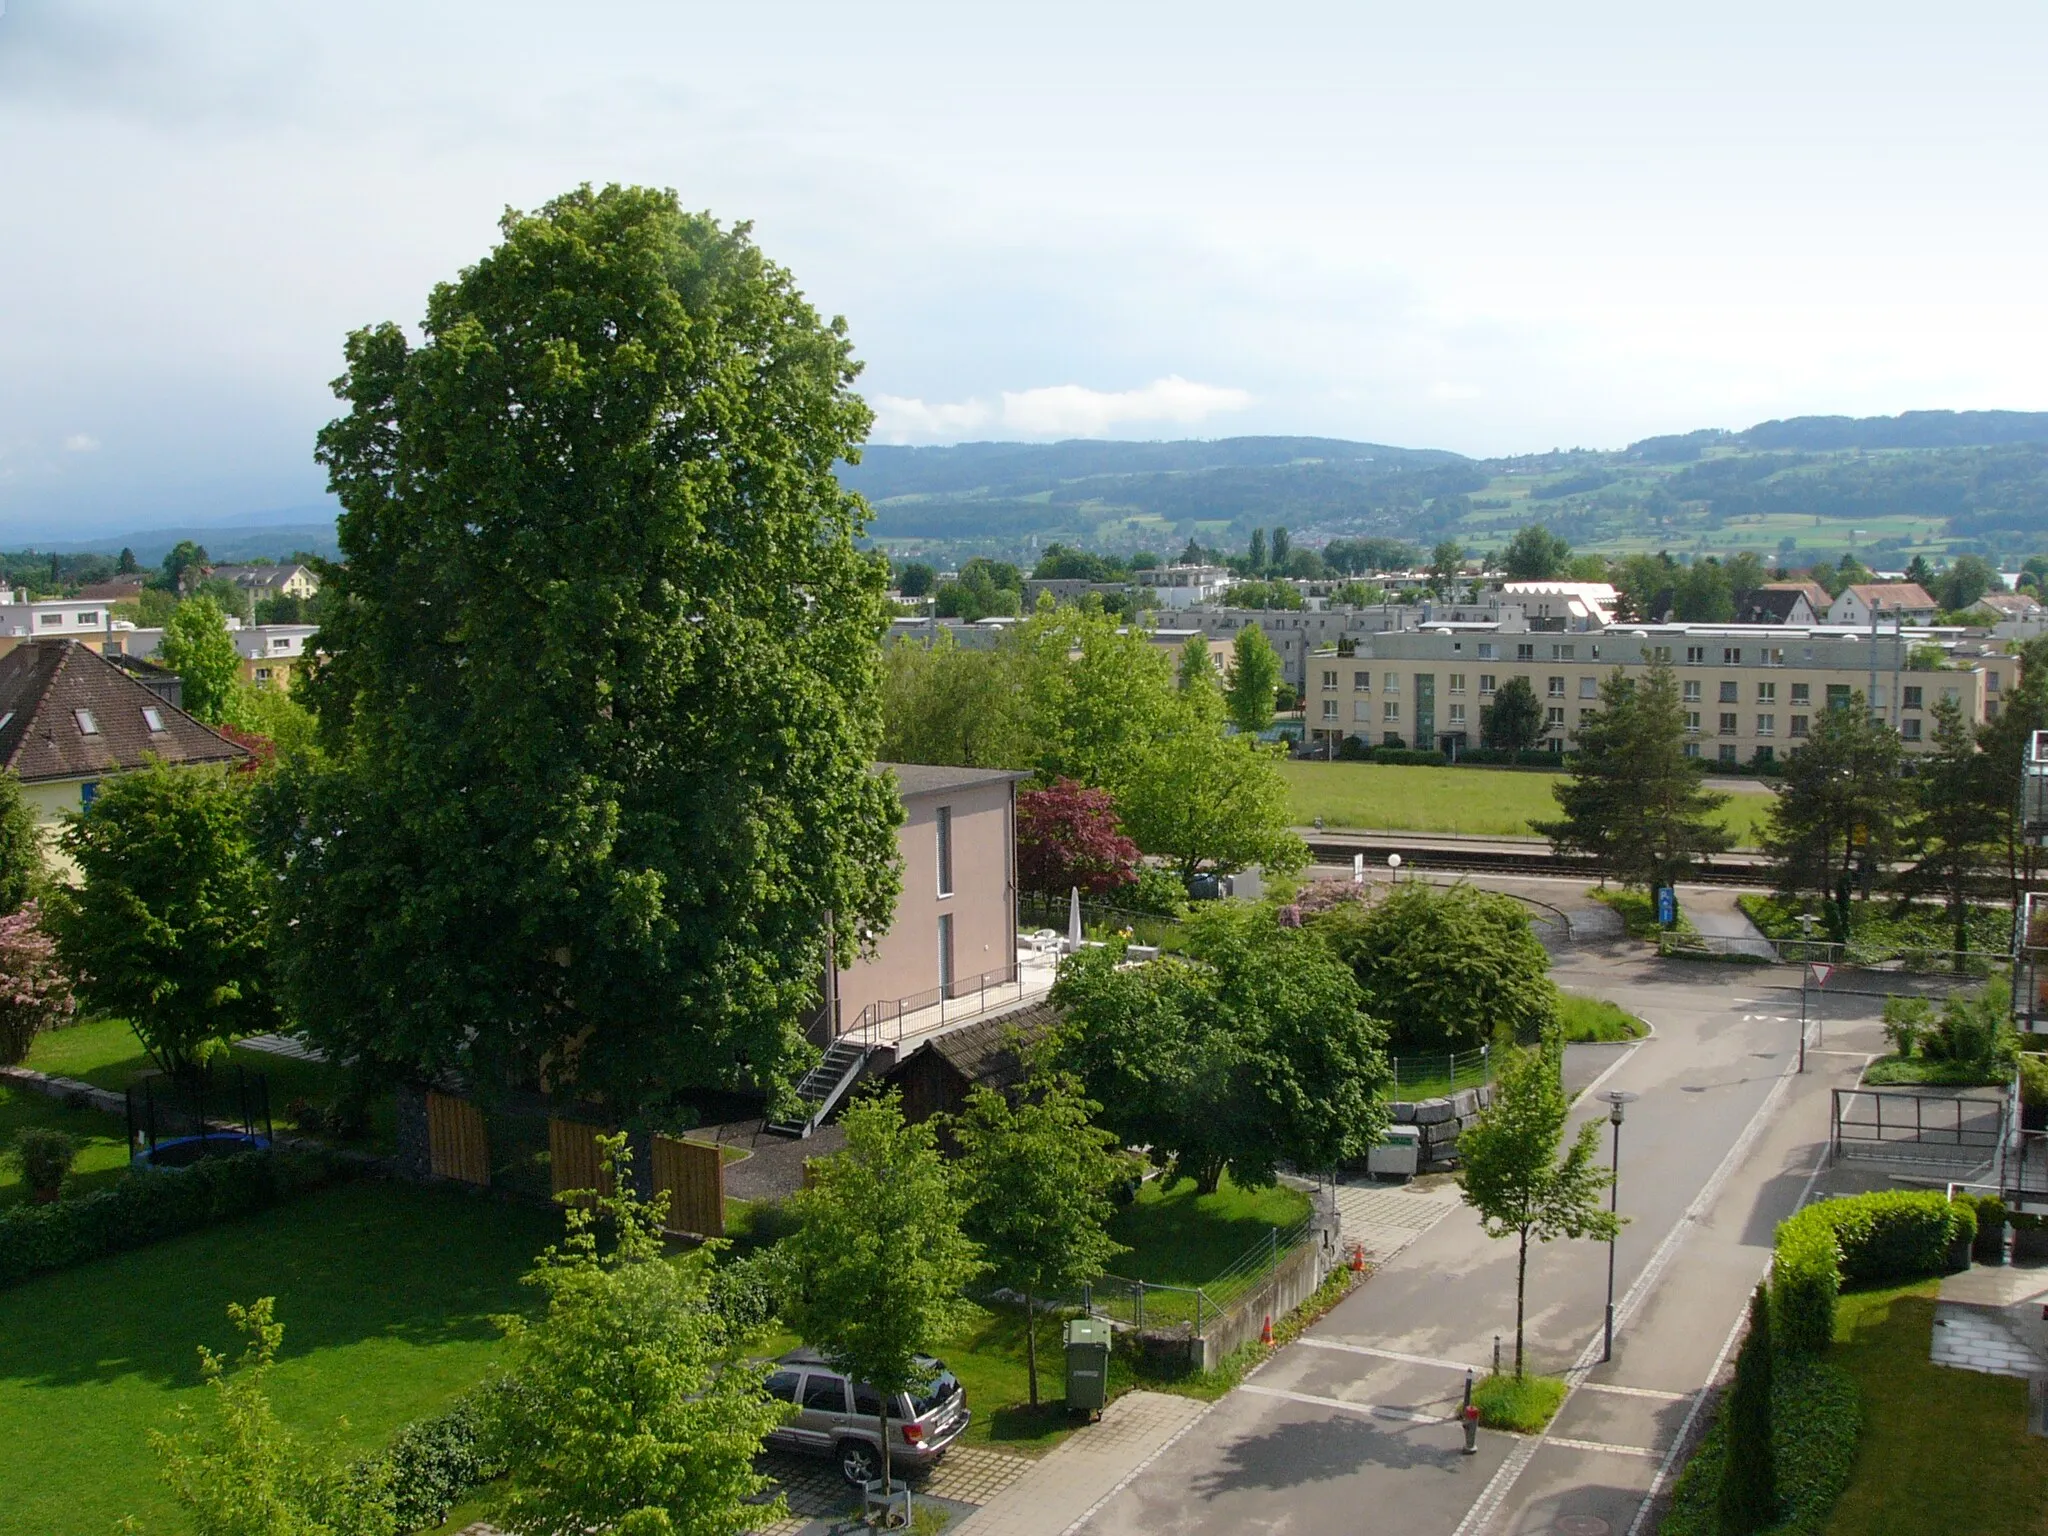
x=1447, y=968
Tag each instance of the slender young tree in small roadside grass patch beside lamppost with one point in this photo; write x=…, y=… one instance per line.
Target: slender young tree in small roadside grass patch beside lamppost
x=1521, y=1177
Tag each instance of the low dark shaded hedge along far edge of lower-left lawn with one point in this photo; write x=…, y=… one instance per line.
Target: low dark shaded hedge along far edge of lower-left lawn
x=153, y=1205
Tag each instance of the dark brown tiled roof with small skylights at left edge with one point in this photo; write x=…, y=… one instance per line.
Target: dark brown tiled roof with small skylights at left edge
x=44, y=685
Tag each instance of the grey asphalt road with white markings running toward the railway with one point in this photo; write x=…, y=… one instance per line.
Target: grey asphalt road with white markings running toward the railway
x=1351, y=1428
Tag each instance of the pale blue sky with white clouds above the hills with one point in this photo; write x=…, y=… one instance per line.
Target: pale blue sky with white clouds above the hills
x=1492, y=228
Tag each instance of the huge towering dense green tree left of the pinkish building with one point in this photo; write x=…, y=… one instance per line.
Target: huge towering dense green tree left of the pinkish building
x=599, y=681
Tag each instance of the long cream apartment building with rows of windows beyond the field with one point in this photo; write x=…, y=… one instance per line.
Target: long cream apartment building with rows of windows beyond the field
x=1748, y=691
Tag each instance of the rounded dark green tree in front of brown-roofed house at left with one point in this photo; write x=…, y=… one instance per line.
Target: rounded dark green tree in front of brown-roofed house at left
x=167, y=925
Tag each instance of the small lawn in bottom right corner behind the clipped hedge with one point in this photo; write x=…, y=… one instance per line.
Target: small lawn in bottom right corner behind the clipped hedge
x=1940, y=1449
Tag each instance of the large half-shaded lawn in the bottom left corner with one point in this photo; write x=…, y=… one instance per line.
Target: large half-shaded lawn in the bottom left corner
x=386, y=1293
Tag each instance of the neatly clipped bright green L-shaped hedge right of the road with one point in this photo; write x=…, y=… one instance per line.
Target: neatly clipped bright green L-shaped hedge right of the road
x=1859, y=1240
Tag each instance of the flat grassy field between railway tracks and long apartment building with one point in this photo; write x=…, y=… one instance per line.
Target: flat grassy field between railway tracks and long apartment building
x=1476, y=802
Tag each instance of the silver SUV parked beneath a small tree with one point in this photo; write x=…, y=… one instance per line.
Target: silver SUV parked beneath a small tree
x=837, y=1416
